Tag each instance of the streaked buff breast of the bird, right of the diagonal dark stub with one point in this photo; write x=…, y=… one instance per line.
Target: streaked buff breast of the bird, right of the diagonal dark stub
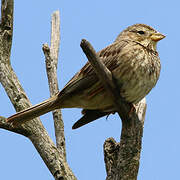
x=138, y=73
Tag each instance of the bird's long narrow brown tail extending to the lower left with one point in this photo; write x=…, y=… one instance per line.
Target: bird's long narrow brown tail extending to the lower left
x=33, y=112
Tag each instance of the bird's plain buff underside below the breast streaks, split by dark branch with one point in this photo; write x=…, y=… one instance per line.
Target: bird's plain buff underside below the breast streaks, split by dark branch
x=132, y=88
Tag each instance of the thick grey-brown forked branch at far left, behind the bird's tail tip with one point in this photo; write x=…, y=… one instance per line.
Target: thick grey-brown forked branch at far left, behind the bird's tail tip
x=33, y=130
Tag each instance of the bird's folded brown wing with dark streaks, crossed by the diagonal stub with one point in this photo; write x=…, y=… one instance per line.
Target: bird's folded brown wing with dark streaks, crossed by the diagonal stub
x=86, y=77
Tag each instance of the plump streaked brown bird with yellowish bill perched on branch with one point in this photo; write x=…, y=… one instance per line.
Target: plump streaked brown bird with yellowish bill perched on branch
x=135, y=64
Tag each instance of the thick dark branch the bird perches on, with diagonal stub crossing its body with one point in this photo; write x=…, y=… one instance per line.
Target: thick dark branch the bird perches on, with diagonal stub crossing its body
x=121, y=159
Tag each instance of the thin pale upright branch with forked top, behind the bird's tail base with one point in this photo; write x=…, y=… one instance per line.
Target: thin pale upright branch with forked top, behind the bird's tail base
x=51, y=55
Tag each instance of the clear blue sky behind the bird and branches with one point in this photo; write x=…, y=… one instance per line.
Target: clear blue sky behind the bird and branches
x=99, y=22
